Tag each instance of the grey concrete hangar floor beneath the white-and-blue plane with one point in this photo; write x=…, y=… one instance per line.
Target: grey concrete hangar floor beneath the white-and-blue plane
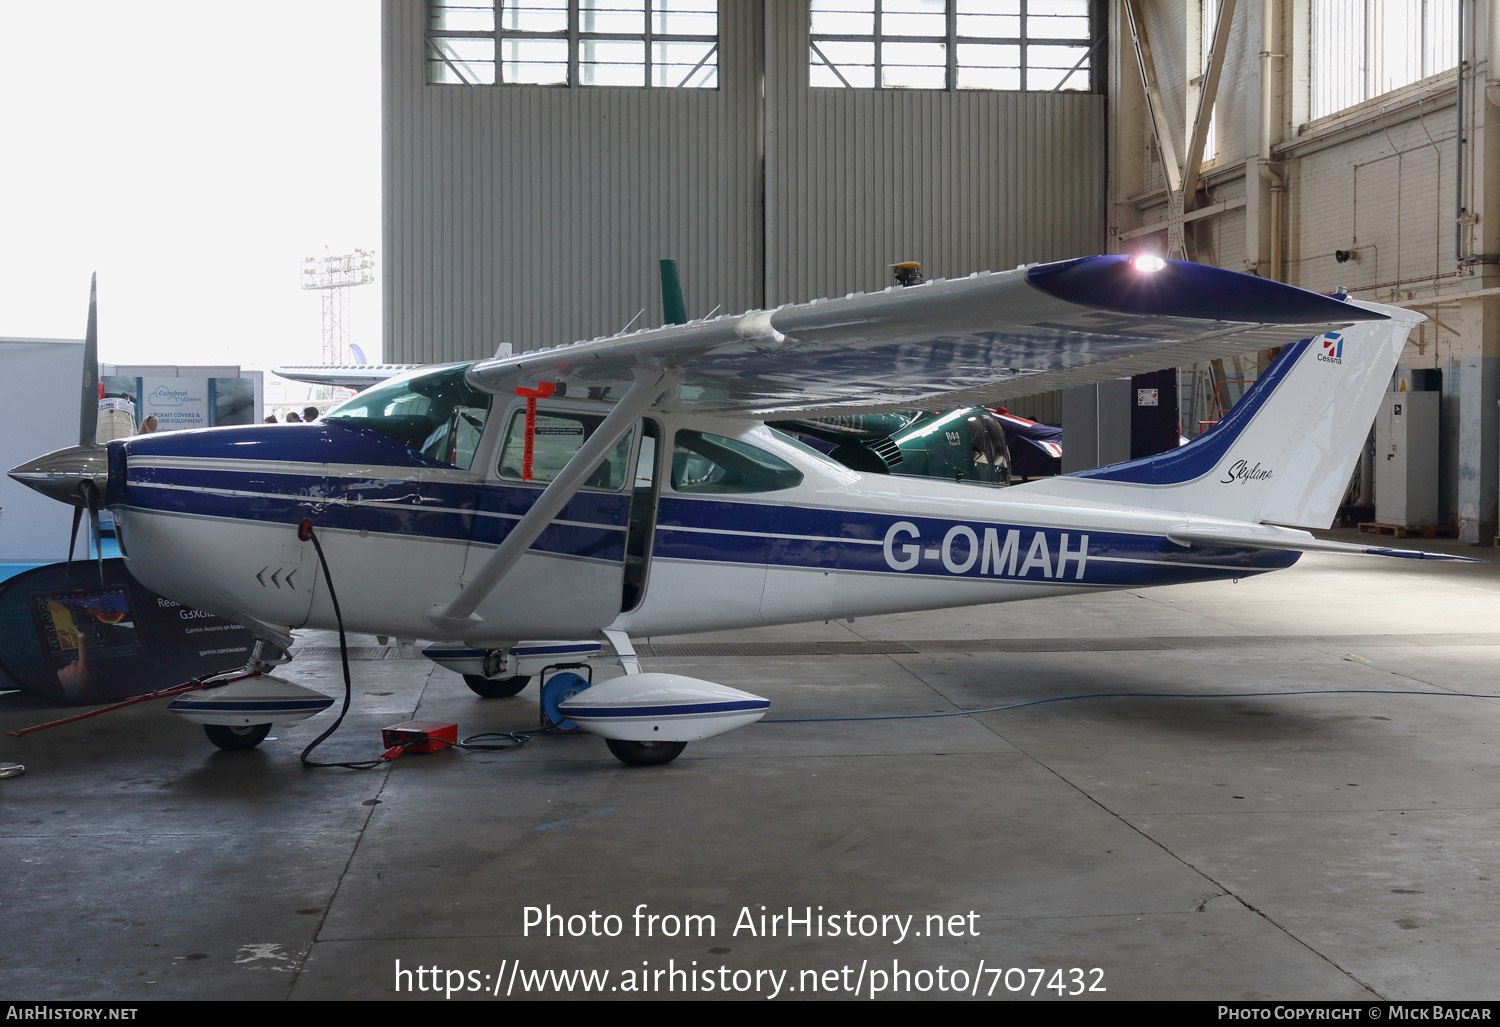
x=1280, y=846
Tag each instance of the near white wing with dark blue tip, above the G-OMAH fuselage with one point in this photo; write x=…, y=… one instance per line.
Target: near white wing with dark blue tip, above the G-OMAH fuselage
x=982, y=340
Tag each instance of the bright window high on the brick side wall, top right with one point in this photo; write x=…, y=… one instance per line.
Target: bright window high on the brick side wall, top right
x=1363, y=49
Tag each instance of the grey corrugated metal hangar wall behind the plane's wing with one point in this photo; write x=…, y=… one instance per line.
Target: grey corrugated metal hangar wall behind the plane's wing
x=536, y=215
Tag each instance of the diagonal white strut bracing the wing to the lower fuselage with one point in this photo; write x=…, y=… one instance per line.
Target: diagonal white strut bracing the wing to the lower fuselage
x=460, y=614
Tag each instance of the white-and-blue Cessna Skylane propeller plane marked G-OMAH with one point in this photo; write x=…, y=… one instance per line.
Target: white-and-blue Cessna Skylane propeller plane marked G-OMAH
x=643, y=494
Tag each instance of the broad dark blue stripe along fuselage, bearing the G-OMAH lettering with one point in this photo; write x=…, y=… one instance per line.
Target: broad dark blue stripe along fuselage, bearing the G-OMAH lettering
x=710, y=531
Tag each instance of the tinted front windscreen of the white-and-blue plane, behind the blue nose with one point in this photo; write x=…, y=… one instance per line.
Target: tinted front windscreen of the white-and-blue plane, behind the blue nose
x=436, y=413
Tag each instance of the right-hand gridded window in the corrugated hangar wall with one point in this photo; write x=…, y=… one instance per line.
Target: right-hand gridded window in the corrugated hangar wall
x=1039, y=46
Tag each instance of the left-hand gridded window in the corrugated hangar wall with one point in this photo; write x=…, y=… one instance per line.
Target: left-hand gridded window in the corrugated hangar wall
x=668, y=44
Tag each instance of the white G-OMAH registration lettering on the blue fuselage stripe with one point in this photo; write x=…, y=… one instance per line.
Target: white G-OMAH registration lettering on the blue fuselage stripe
x=991, y=551
